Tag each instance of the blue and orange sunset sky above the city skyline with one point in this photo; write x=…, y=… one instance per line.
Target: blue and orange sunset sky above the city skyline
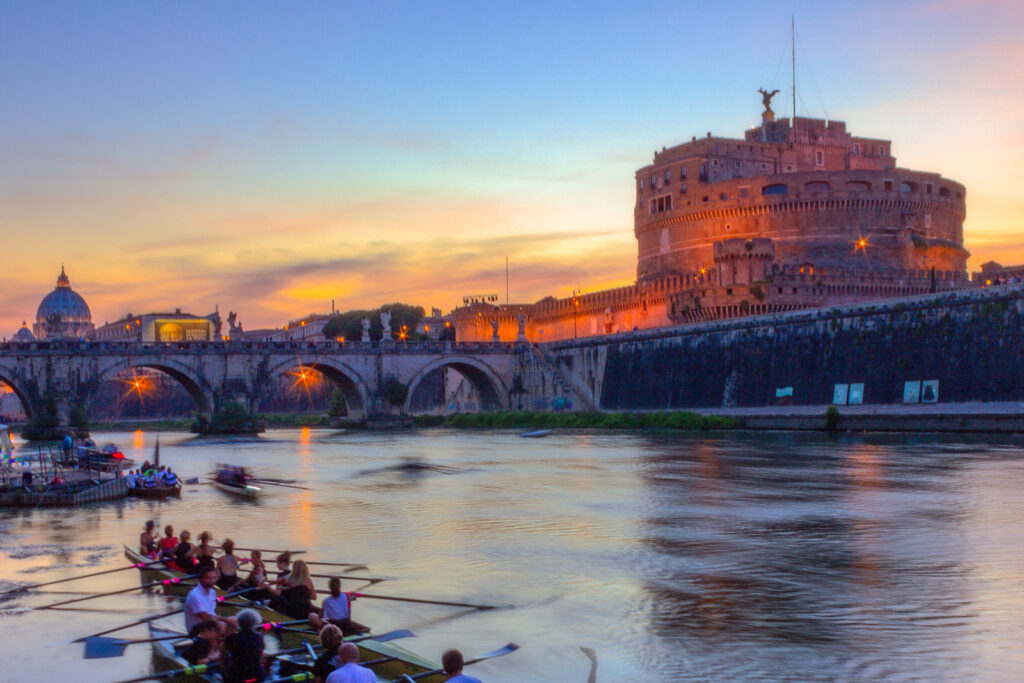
x=270, y=157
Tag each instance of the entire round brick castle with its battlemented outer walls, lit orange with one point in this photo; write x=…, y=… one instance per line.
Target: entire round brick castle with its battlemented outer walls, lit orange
x=799, y=214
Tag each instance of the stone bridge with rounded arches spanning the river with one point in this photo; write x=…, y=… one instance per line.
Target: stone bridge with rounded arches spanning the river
x=66, y=375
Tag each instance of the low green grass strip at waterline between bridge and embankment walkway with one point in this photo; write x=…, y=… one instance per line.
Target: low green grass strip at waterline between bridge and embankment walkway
x=515, y=420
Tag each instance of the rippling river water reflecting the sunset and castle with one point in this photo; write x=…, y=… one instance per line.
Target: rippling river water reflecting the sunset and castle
x=675, y=558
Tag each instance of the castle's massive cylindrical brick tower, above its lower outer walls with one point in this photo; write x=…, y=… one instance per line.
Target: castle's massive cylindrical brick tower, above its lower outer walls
x=823, y=197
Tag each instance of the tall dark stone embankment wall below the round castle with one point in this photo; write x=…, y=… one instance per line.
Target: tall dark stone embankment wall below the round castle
x=966, y=347
